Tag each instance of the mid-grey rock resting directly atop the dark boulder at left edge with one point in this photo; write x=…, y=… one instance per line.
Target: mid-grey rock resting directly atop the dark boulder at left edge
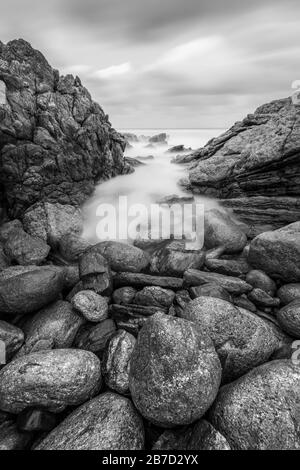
x=26, y=250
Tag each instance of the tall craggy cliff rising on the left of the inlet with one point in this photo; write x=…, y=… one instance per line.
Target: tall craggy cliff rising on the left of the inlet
x=55, y=142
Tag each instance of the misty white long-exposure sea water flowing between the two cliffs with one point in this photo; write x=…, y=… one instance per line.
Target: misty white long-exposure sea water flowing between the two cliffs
x=115, y=203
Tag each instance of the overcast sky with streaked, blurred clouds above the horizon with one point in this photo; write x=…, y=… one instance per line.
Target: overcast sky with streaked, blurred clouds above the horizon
x=167, y=63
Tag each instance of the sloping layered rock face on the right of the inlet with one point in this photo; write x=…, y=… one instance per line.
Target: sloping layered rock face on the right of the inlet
x=256, y=158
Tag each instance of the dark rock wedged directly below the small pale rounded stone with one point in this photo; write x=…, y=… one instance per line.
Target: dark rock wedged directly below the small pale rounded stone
x=95, y=338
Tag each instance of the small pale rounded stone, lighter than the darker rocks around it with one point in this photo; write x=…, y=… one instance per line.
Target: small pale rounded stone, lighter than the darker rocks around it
x=92, y=306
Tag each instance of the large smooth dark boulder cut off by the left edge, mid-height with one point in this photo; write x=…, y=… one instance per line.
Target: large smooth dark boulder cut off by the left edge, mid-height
x=28, y=289
